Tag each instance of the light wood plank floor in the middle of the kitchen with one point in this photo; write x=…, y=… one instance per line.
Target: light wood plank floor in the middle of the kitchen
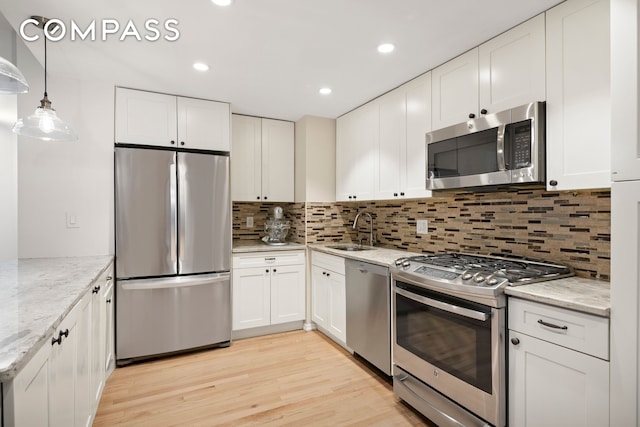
x=295, y=378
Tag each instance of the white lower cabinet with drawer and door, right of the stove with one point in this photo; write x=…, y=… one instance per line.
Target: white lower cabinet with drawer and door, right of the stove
x=555, y=379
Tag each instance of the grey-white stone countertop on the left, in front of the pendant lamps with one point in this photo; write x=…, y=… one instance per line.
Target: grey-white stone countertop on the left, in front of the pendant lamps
x=35, y=296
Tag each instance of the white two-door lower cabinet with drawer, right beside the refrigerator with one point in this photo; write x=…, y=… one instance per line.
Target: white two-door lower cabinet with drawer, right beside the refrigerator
x=268, y=289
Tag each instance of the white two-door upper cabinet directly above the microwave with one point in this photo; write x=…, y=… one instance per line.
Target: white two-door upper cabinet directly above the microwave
x=505, y=72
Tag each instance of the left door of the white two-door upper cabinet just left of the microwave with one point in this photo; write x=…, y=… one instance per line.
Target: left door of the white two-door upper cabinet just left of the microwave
x=392, y=144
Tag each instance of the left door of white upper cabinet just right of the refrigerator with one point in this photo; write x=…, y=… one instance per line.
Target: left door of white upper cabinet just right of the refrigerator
x=246, y=159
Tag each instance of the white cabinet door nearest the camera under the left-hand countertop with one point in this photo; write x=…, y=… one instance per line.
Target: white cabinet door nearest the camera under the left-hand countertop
x=30, y=390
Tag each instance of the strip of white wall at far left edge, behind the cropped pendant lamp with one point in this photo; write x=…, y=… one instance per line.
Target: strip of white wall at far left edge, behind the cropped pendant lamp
x=8, y=156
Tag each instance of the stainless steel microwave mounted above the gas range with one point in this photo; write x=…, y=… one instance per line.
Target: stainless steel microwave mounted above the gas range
x=505, y=148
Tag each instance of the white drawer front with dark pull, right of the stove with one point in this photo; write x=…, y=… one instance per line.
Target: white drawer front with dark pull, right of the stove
x=578, y=331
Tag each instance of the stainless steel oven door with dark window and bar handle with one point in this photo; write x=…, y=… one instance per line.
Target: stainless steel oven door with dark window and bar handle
x=453, y=345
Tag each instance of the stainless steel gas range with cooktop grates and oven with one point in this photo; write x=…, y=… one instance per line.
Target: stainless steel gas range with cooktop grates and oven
x=448, y=332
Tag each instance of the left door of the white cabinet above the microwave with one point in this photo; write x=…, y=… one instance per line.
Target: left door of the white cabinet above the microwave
x=455, y=90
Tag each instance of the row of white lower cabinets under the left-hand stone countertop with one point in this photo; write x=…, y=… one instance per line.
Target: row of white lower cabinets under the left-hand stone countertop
x=61, y=385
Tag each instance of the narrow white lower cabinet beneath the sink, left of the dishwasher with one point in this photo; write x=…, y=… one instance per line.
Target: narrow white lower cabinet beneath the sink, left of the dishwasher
x=328, y=295
